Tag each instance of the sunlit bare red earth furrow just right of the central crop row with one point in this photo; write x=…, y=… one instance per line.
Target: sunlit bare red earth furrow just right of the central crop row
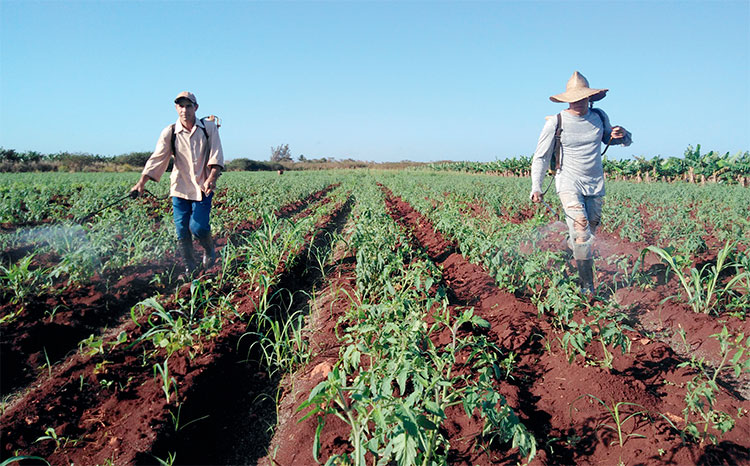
x=551, y=396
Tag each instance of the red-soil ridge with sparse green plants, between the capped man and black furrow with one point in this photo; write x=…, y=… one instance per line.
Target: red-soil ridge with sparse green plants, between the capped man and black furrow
x=168, y=340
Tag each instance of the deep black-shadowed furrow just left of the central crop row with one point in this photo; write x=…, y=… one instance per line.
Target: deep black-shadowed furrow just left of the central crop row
x=241, y=416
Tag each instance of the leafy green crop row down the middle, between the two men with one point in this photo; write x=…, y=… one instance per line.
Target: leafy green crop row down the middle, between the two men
x=405, y=357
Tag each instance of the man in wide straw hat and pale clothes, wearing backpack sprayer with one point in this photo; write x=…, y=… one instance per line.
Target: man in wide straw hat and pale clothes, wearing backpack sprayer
x=574, y=137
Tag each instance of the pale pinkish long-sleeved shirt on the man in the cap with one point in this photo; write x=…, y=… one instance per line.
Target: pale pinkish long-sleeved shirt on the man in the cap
x=194, y=155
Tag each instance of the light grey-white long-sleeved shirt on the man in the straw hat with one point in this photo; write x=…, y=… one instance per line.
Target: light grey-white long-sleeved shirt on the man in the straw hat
x=581, y=141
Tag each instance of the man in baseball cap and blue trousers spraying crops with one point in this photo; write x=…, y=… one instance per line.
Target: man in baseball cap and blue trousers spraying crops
x=198, y=162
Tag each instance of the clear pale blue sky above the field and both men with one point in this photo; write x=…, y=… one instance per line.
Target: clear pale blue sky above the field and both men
x=380, y=81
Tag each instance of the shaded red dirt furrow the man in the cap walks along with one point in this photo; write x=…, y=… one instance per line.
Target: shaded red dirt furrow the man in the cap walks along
x=50, y=326
